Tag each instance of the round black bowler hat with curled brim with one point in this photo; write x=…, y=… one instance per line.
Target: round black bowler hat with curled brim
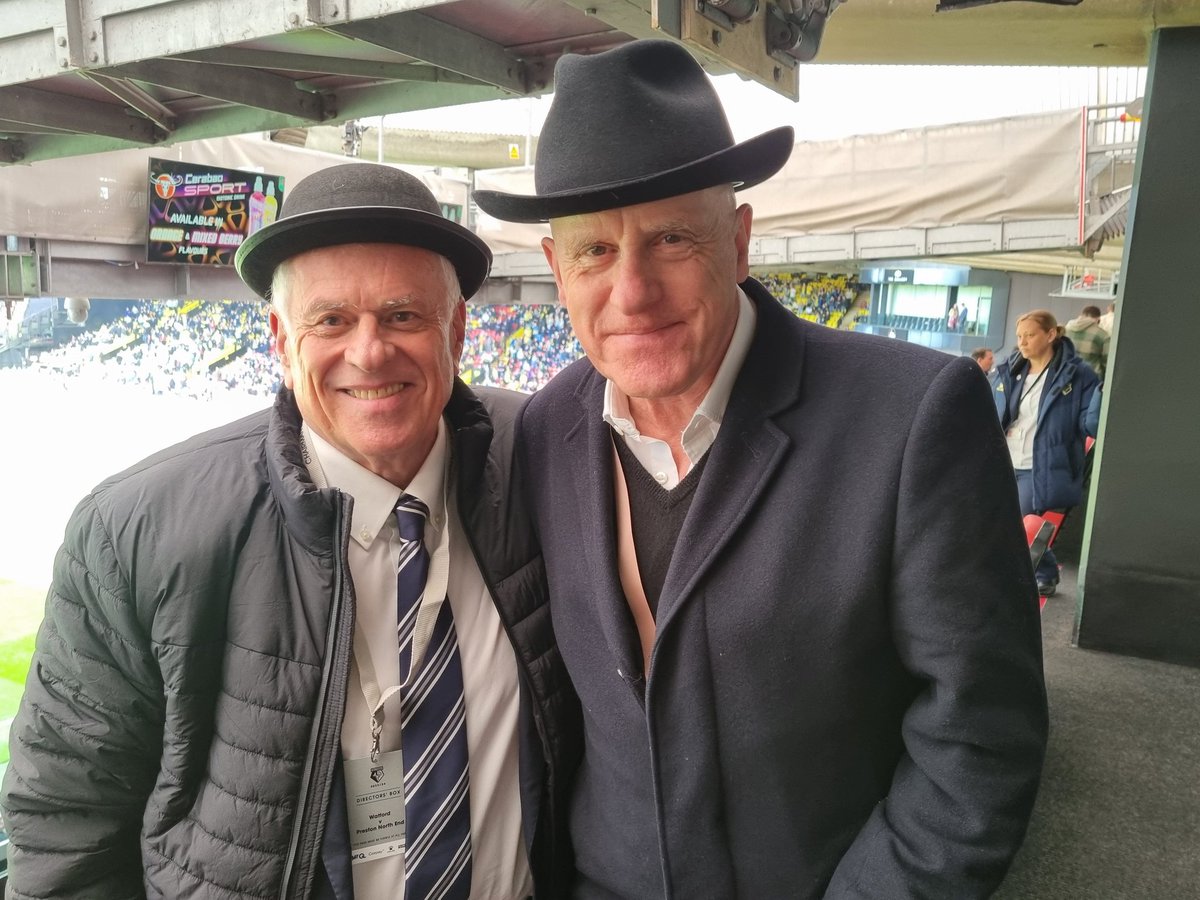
x=361, y=203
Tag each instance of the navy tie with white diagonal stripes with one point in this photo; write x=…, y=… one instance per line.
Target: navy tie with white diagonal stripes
x=434, y=733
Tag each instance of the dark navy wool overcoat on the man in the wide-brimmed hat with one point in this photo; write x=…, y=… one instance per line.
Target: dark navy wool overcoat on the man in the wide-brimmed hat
x=845, y=697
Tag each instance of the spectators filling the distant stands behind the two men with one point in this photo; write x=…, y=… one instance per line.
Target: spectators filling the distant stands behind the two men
x=201, y=350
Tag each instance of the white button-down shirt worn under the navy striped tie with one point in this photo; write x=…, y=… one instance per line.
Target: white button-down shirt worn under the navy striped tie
x=500, y=862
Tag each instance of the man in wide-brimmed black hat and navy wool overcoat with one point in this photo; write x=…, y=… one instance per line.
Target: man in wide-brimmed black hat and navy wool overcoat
x=787, y=566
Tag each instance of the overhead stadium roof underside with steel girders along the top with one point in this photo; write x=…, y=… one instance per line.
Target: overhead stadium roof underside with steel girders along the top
x=89, y=77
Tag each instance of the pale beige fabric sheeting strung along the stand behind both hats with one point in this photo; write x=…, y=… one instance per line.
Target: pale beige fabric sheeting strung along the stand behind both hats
x=1006, y=170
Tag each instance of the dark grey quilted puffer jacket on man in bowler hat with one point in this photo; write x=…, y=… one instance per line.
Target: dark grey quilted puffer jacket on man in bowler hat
x=182, y=717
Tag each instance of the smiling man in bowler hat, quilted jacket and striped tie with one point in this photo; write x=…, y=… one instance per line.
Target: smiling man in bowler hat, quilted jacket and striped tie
x=309, y=655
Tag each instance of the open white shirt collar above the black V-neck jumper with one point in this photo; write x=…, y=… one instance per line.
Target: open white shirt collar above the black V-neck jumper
x=706, y=422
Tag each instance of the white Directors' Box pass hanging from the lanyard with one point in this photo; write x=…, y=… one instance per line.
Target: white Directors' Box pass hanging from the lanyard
x=375, y=806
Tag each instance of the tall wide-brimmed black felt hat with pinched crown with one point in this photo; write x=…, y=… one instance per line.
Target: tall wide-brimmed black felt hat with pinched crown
x=632, y=125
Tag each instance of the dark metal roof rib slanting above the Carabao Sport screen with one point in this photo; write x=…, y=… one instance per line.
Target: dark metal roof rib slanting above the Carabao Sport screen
x=249, y=87
